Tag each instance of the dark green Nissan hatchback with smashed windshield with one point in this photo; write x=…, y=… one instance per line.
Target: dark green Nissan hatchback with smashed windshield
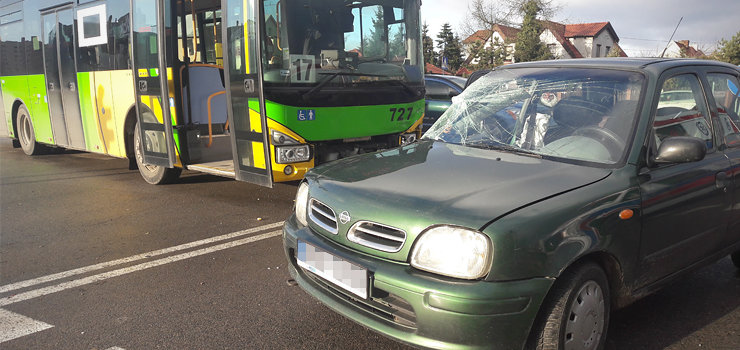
x=547, y=195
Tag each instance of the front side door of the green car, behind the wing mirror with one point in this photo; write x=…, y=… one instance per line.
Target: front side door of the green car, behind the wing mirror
x=685, y=207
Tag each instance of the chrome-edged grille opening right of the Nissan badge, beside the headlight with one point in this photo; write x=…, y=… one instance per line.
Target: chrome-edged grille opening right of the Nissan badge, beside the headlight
x=377, y=236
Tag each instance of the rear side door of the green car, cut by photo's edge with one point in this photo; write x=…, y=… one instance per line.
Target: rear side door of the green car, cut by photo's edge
x=723, y=91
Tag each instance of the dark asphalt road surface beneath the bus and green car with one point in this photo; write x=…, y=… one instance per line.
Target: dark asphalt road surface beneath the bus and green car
x=176, y=267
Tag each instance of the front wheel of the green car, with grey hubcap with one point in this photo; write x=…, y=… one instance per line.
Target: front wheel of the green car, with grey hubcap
x=575, y=310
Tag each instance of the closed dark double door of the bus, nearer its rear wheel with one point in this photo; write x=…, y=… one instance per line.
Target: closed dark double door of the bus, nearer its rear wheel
x=61, y=77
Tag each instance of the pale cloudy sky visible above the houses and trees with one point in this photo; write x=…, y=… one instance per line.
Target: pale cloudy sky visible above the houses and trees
x=643, y=26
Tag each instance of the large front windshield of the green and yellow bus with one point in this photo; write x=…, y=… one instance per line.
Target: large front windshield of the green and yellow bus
x=340, y=42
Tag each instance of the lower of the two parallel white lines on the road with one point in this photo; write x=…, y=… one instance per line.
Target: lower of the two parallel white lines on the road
x=115, y=273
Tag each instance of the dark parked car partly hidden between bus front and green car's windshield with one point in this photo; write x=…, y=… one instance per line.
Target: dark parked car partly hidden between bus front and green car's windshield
x=440, y=91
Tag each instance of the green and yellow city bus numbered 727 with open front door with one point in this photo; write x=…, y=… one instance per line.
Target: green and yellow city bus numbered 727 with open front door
x=257, y=90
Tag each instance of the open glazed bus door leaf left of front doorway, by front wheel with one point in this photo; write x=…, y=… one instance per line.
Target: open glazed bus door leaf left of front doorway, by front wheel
x=150, y=75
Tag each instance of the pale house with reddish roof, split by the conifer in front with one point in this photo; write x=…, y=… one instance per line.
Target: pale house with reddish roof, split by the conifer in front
x=583, y=40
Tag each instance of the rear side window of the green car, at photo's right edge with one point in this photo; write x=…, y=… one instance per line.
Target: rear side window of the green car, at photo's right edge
x=725, y=91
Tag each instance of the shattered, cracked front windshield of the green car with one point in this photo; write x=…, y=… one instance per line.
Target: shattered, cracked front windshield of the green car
x=583, y=115
